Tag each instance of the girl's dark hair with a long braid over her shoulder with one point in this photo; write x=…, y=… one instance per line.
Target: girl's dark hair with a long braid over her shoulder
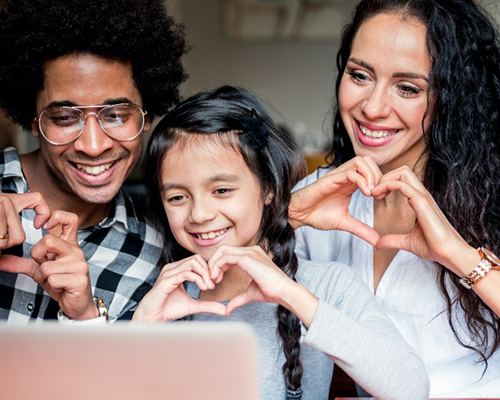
x=236, y=118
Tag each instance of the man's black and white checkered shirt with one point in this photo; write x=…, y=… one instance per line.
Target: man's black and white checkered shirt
x=122, y=253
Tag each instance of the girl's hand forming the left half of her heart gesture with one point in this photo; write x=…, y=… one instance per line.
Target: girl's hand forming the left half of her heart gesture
x=168, y=300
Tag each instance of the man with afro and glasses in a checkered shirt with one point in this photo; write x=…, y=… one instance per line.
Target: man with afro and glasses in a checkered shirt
x=86, y=78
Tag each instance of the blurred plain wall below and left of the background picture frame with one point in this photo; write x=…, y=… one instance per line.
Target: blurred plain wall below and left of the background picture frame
x=296, y=78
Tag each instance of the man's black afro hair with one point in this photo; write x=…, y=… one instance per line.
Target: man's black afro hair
x=136, y=31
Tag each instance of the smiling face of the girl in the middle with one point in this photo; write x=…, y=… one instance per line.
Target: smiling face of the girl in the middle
x=210, y=196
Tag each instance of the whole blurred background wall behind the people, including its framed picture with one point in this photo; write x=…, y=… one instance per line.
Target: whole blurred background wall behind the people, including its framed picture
x=293, y=70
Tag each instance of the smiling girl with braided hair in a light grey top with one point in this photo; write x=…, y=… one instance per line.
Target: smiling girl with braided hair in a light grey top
x=220, y=173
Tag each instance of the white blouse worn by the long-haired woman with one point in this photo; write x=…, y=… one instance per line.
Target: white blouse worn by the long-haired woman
x=410, y=294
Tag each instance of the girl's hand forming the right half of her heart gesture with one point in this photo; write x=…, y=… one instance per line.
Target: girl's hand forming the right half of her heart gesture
x=269, y=283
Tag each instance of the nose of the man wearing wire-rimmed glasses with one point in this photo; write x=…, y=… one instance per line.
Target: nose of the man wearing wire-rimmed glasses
x=93, y=141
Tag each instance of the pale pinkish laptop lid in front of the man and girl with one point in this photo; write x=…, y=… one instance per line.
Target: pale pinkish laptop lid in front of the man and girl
x=179, y=360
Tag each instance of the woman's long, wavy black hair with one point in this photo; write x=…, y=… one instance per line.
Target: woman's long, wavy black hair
x=463, y=158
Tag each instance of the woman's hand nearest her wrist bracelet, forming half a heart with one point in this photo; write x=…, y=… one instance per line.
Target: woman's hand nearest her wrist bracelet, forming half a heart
x=433, y=238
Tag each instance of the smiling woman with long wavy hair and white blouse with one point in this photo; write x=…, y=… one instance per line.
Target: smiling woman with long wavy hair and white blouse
x=416, y=130
